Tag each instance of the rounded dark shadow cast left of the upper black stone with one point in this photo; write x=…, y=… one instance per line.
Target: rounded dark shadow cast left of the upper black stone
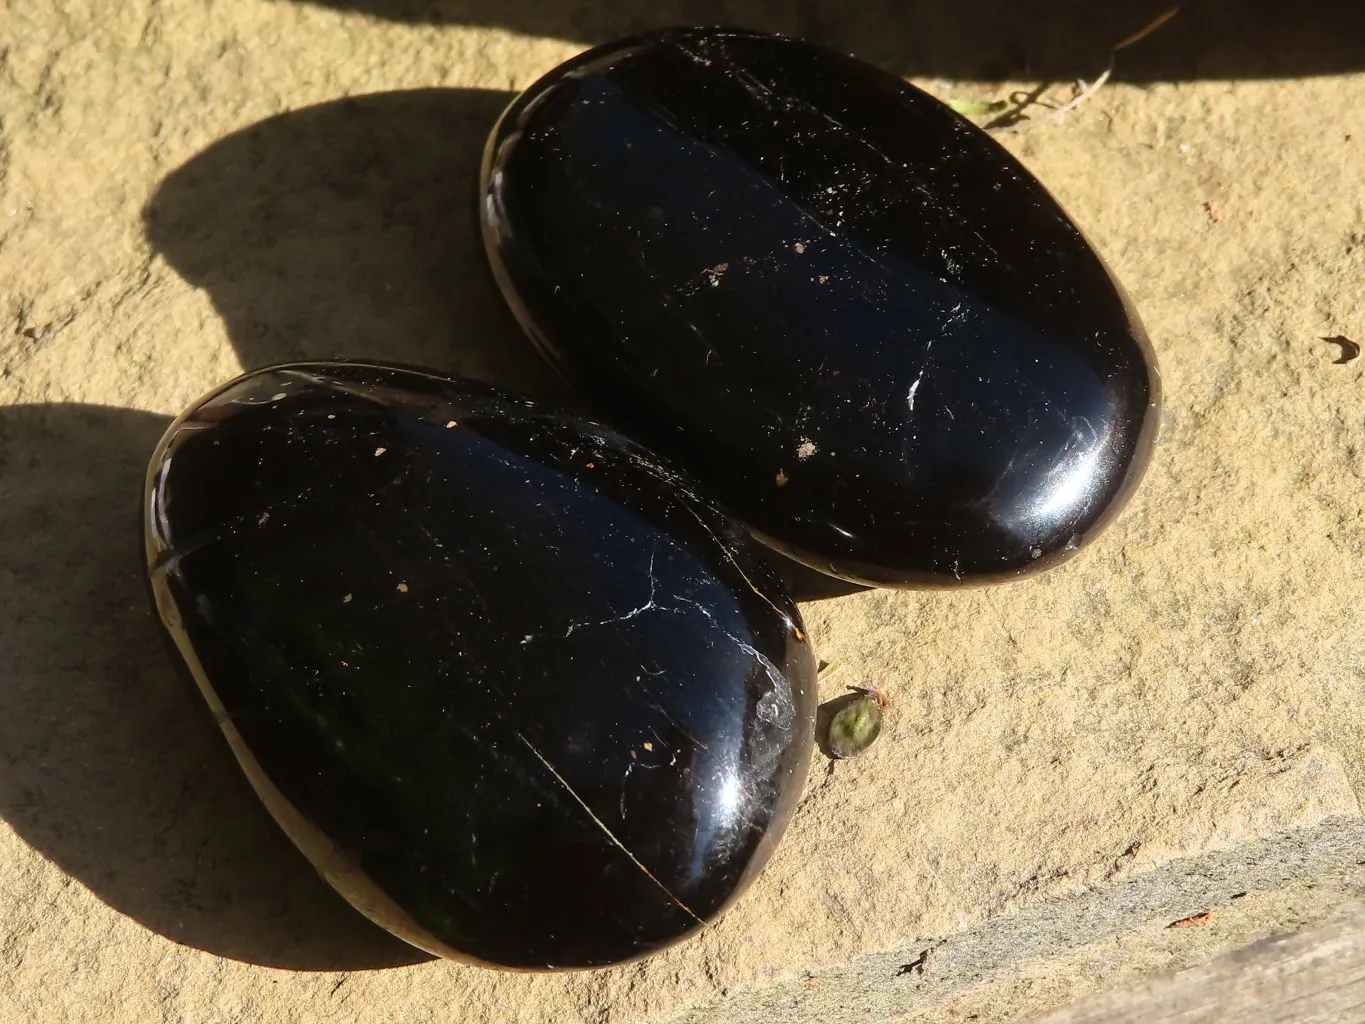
x=350, y=230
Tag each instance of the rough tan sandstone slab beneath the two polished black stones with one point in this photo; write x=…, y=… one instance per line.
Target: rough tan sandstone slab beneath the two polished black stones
x=1069, y=765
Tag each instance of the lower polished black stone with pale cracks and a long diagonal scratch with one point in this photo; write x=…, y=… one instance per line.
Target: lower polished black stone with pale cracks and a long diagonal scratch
x=517, y=689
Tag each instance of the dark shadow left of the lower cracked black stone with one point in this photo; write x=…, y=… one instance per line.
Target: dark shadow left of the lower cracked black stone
x=110, y=767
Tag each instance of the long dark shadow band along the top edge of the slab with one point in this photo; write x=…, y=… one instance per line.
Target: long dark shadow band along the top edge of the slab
x=986, y=40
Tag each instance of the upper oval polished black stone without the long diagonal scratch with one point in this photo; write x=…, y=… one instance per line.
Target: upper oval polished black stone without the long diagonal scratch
x=848, y=311
